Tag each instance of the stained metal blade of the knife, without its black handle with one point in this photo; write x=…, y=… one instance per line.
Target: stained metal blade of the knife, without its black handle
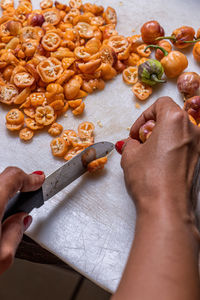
x=74, y=168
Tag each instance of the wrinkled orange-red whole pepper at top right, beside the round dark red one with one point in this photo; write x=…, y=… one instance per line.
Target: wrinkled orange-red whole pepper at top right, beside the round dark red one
x=181, y=37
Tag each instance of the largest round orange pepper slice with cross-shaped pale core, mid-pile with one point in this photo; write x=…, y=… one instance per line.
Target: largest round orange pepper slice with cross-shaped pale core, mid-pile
x=50, y=69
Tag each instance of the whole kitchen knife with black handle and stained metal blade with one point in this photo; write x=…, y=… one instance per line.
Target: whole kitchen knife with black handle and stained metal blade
x=58, y=180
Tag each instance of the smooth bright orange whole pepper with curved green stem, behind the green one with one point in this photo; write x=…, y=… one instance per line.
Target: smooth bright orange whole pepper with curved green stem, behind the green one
x=173, y=63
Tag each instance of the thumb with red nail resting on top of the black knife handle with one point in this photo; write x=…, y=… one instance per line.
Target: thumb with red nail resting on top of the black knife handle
x=13, y=180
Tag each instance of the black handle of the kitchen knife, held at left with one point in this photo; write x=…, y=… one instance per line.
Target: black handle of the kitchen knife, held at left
x=24, y=202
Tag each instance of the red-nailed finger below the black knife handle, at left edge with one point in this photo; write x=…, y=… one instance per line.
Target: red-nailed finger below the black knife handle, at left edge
x=12, y=231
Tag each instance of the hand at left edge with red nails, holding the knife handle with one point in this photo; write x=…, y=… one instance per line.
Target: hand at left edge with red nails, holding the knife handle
x=13, y=180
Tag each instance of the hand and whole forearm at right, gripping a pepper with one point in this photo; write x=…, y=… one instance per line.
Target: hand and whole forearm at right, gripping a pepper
x=159, y=175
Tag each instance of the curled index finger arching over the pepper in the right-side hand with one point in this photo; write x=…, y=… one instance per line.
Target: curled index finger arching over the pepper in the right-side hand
x=157, y=112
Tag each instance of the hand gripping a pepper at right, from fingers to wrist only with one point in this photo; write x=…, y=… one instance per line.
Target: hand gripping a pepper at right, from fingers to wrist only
x=159, y=172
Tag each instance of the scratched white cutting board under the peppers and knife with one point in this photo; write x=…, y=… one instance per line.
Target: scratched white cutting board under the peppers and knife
x=90, y=224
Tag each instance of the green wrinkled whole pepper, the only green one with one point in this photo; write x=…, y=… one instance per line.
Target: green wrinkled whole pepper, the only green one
x=150, y=72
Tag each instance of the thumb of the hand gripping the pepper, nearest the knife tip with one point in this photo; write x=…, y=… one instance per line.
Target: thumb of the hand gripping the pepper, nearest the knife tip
x=129, y=149
